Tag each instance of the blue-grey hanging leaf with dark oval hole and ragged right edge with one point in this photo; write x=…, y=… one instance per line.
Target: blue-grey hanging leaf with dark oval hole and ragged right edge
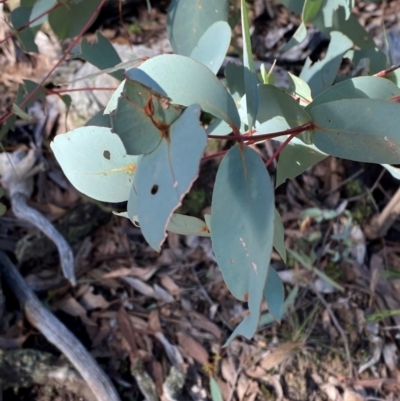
x=165, y=176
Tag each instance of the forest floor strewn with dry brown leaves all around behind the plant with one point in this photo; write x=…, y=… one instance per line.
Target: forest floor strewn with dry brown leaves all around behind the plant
x=335, y=342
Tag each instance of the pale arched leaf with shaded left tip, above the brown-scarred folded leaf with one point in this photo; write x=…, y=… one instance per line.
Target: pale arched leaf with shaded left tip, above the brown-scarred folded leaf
x=186, y=81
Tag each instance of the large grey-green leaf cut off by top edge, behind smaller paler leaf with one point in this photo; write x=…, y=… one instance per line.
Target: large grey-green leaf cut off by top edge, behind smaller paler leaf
x=188, y=20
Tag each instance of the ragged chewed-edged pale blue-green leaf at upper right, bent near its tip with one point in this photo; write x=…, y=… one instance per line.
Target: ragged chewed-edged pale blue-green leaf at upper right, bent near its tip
x=321, y=75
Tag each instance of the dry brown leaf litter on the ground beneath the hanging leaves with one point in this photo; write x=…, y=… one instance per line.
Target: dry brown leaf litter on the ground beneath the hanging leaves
x=150, y=316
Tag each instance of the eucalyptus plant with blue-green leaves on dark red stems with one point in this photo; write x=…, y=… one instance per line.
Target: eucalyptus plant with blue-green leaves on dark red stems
x=147, y=145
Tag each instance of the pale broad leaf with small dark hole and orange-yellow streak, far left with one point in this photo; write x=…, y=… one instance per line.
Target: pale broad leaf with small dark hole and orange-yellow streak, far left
x=96, y=163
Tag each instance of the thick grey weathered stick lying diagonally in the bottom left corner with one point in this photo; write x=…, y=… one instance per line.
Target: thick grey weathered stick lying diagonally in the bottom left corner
x=56, y=333
